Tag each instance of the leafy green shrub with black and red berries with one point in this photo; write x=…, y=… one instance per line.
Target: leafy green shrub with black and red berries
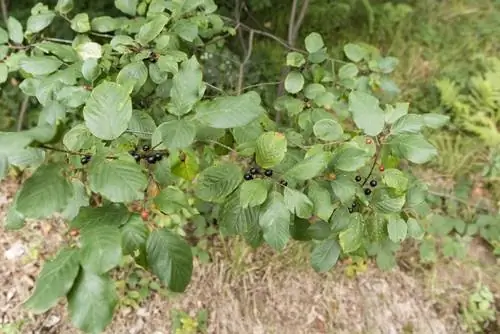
x=132, y=144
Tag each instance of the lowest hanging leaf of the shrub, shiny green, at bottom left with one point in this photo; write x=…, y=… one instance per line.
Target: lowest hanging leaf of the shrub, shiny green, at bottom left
x=92, y=302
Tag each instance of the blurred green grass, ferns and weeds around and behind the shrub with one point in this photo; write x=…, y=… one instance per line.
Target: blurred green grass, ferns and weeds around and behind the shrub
x=449, y=63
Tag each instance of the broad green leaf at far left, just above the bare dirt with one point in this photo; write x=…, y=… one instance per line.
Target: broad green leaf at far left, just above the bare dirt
x=44, y=193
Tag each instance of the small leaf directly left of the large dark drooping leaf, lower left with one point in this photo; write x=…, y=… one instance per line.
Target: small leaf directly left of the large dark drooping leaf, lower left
x=134, y=235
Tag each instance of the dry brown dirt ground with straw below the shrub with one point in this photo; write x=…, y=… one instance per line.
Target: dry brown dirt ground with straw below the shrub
x=264, y=299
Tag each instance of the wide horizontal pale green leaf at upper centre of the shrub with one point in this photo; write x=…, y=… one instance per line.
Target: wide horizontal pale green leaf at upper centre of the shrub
x=226, y=111
